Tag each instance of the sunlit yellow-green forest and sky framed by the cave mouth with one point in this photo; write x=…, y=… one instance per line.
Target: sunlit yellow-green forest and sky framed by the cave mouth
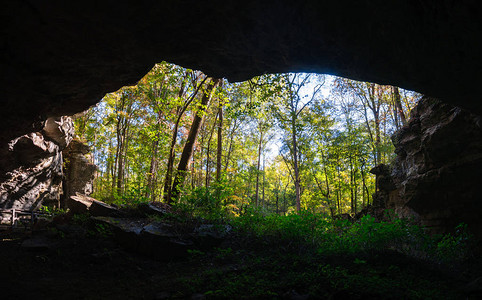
x=278, y=142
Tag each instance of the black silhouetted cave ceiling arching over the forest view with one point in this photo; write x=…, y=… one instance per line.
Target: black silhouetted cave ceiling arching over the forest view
x=60, y=57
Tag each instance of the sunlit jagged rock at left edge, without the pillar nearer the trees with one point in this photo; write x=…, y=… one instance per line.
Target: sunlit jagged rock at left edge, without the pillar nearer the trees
x=34, y=162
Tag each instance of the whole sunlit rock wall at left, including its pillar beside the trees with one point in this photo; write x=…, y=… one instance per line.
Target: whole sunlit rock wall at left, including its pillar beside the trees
x=46, y=167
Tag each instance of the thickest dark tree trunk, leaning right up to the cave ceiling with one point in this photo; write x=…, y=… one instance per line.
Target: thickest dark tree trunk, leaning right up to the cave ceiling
x=191, y=139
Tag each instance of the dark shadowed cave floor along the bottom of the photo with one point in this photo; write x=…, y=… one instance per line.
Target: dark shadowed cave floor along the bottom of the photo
x=95, y=267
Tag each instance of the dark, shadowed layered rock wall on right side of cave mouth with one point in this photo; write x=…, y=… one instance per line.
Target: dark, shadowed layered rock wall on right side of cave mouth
x=437, y=176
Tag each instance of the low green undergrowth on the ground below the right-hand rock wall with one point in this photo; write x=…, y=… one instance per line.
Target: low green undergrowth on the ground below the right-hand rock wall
x=366, y=235
